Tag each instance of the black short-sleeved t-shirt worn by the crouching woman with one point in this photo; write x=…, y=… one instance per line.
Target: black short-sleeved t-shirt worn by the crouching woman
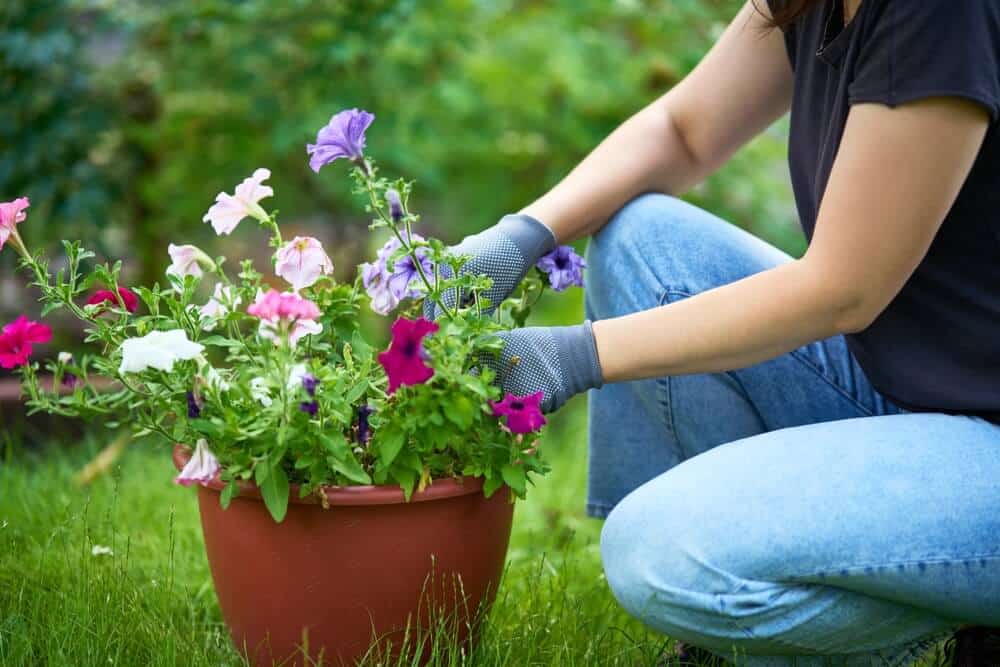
x=937, y=346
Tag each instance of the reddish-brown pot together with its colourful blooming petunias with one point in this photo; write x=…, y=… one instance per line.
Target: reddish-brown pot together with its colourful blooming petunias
x=347, y=494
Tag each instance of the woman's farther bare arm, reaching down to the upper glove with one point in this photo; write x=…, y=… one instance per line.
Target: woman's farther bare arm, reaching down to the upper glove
x=741, y=86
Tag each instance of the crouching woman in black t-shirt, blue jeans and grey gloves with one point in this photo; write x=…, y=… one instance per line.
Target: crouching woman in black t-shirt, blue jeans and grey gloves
x=795, y=457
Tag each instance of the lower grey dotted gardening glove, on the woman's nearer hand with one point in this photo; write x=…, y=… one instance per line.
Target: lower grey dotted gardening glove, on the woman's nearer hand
x=560, y=362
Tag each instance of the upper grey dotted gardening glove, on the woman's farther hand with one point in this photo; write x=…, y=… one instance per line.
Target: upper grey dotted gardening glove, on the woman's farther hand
x=505, y=252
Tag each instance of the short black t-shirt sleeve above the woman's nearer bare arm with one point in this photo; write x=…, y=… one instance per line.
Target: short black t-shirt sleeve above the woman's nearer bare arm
x=915, y=49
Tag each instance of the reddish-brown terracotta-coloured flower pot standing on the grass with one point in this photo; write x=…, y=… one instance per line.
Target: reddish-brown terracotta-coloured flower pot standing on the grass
x=337, y=581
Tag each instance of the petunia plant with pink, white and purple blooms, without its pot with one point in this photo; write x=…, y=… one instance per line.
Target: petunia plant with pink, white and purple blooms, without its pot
x=268, y=375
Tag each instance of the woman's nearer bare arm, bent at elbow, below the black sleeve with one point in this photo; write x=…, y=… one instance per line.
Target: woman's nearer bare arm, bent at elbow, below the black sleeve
x=896, y=175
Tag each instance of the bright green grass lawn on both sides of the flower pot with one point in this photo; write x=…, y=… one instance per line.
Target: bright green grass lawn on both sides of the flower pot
x=152, y=602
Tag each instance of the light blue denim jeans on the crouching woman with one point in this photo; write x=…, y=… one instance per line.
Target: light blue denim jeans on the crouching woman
x=787, y=512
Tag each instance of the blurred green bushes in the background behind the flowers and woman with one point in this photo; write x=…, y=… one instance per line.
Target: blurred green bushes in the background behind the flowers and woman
x=129, y=116
